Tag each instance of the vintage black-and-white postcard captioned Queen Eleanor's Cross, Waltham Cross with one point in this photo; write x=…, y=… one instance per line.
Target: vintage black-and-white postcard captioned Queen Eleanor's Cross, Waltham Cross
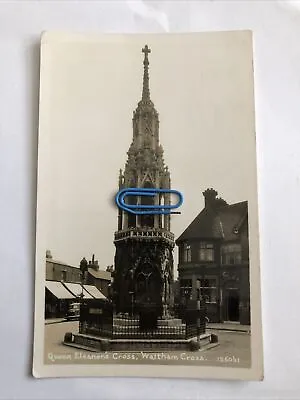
x=147, y=245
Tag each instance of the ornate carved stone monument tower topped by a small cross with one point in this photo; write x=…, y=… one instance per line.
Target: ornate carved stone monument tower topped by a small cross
x=149, y=258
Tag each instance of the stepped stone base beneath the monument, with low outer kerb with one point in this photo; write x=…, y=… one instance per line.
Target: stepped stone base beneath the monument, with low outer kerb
x=126, y=335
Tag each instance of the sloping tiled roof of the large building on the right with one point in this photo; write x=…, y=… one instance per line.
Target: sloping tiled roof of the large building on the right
x=216, y=223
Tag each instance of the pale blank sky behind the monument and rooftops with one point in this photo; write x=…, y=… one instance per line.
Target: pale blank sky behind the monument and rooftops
x=202, y=87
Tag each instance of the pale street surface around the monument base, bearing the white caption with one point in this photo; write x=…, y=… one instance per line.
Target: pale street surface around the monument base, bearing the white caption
x=233, y=351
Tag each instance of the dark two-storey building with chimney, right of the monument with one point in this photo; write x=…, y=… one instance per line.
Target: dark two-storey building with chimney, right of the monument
x=214, y=249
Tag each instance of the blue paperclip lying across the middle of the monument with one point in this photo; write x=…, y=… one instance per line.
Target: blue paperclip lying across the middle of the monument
x=140, y=209
